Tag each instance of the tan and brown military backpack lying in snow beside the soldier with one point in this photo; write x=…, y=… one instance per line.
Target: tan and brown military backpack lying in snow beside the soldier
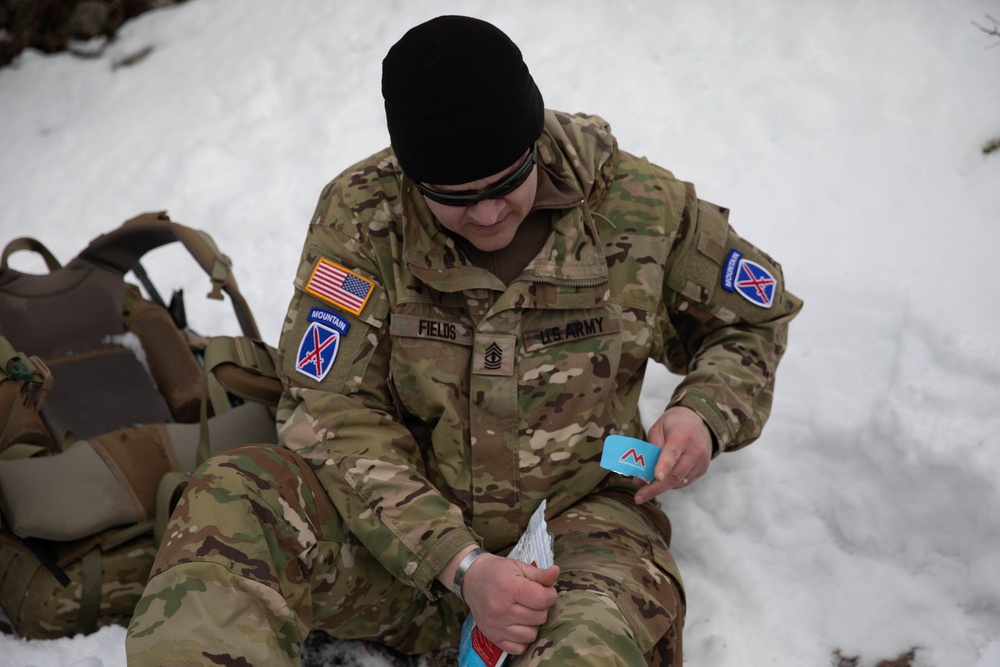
x=108, y=401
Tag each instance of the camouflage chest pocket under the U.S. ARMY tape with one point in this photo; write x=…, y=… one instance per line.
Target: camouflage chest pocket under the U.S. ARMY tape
x=569, y=366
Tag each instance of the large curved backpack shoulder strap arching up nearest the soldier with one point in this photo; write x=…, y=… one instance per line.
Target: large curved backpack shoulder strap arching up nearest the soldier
x=122, y=248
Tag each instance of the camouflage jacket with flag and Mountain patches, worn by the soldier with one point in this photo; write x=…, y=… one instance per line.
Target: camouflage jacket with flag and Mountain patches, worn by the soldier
x=439, y=406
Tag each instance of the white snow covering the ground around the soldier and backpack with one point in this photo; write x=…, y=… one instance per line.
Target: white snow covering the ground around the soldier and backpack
x=846, y=138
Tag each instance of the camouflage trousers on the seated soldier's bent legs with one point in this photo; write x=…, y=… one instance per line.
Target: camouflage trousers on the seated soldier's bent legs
x=255, y=556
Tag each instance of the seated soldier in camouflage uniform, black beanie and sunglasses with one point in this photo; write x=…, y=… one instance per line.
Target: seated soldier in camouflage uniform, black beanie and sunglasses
x=474, y=312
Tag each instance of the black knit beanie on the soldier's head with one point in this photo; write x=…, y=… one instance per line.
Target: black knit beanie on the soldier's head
x=460, y=103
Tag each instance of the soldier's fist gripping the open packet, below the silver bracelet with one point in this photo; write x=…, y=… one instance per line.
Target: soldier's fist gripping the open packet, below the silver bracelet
x=509, y=600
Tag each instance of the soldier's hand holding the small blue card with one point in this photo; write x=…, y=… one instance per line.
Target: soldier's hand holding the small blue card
x=685, y=451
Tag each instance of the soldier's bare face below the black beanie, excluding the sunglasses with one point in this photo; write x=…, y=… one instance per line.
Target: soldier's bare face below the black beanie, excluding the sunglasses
x=489, y=224
